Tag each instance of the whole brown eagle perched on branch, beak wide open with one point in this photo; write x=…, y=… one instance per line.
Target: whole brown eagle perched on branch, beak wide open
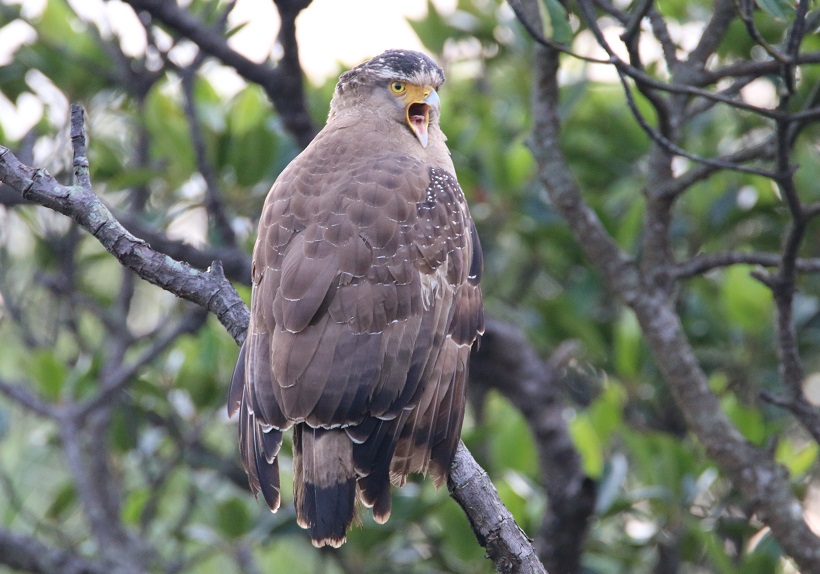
x=365, y=304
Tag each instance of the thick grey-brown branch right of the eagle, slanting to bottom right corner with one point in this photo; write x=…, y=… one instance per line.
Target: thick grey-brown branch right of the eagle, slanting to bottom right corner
x=763, y=483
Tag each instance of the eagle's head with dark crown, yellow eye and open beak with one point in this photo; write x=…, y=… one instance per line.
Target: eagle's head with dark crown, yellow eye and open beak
x=399, y=85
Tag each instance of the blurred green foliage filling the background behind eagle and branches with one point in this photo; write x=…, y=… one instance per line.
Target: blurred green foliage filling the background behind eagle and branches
x=70, y=316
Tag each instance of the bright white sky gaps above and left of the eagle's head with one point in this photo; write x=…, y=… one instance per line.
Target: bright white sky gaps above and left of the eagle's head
x=330, y=32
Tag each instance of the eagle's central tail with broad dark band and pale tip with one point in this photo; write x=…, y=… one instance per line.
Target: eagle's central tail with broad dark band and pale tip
x=324, y=483
